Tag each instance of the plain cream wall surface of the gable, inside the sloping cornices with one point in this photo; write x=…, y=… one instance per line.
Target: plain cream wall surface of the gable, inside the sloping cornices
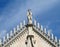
x=19, y=40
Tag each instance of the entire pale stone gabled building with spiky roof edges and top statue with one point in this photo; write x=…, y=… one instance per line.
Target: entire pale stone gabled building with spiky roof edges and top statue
x=30, y=34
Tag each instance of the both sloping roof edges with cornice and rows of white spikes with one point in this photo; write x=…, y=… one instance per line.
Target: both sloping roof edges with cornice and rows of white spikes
x=39, y=29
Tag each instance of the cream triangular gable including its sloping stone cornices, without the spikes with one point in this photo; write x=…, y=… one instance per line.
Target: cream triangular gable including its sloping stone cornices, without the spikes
x=39, y=40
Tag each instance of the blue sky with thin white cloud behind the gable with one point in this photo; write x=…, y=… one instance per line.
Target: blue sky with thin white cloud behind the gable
x=46, y=12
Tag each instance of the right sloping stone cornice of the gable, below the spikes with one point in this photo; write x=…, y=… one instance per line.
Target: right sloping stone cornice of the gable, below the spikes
x=45, y=36
